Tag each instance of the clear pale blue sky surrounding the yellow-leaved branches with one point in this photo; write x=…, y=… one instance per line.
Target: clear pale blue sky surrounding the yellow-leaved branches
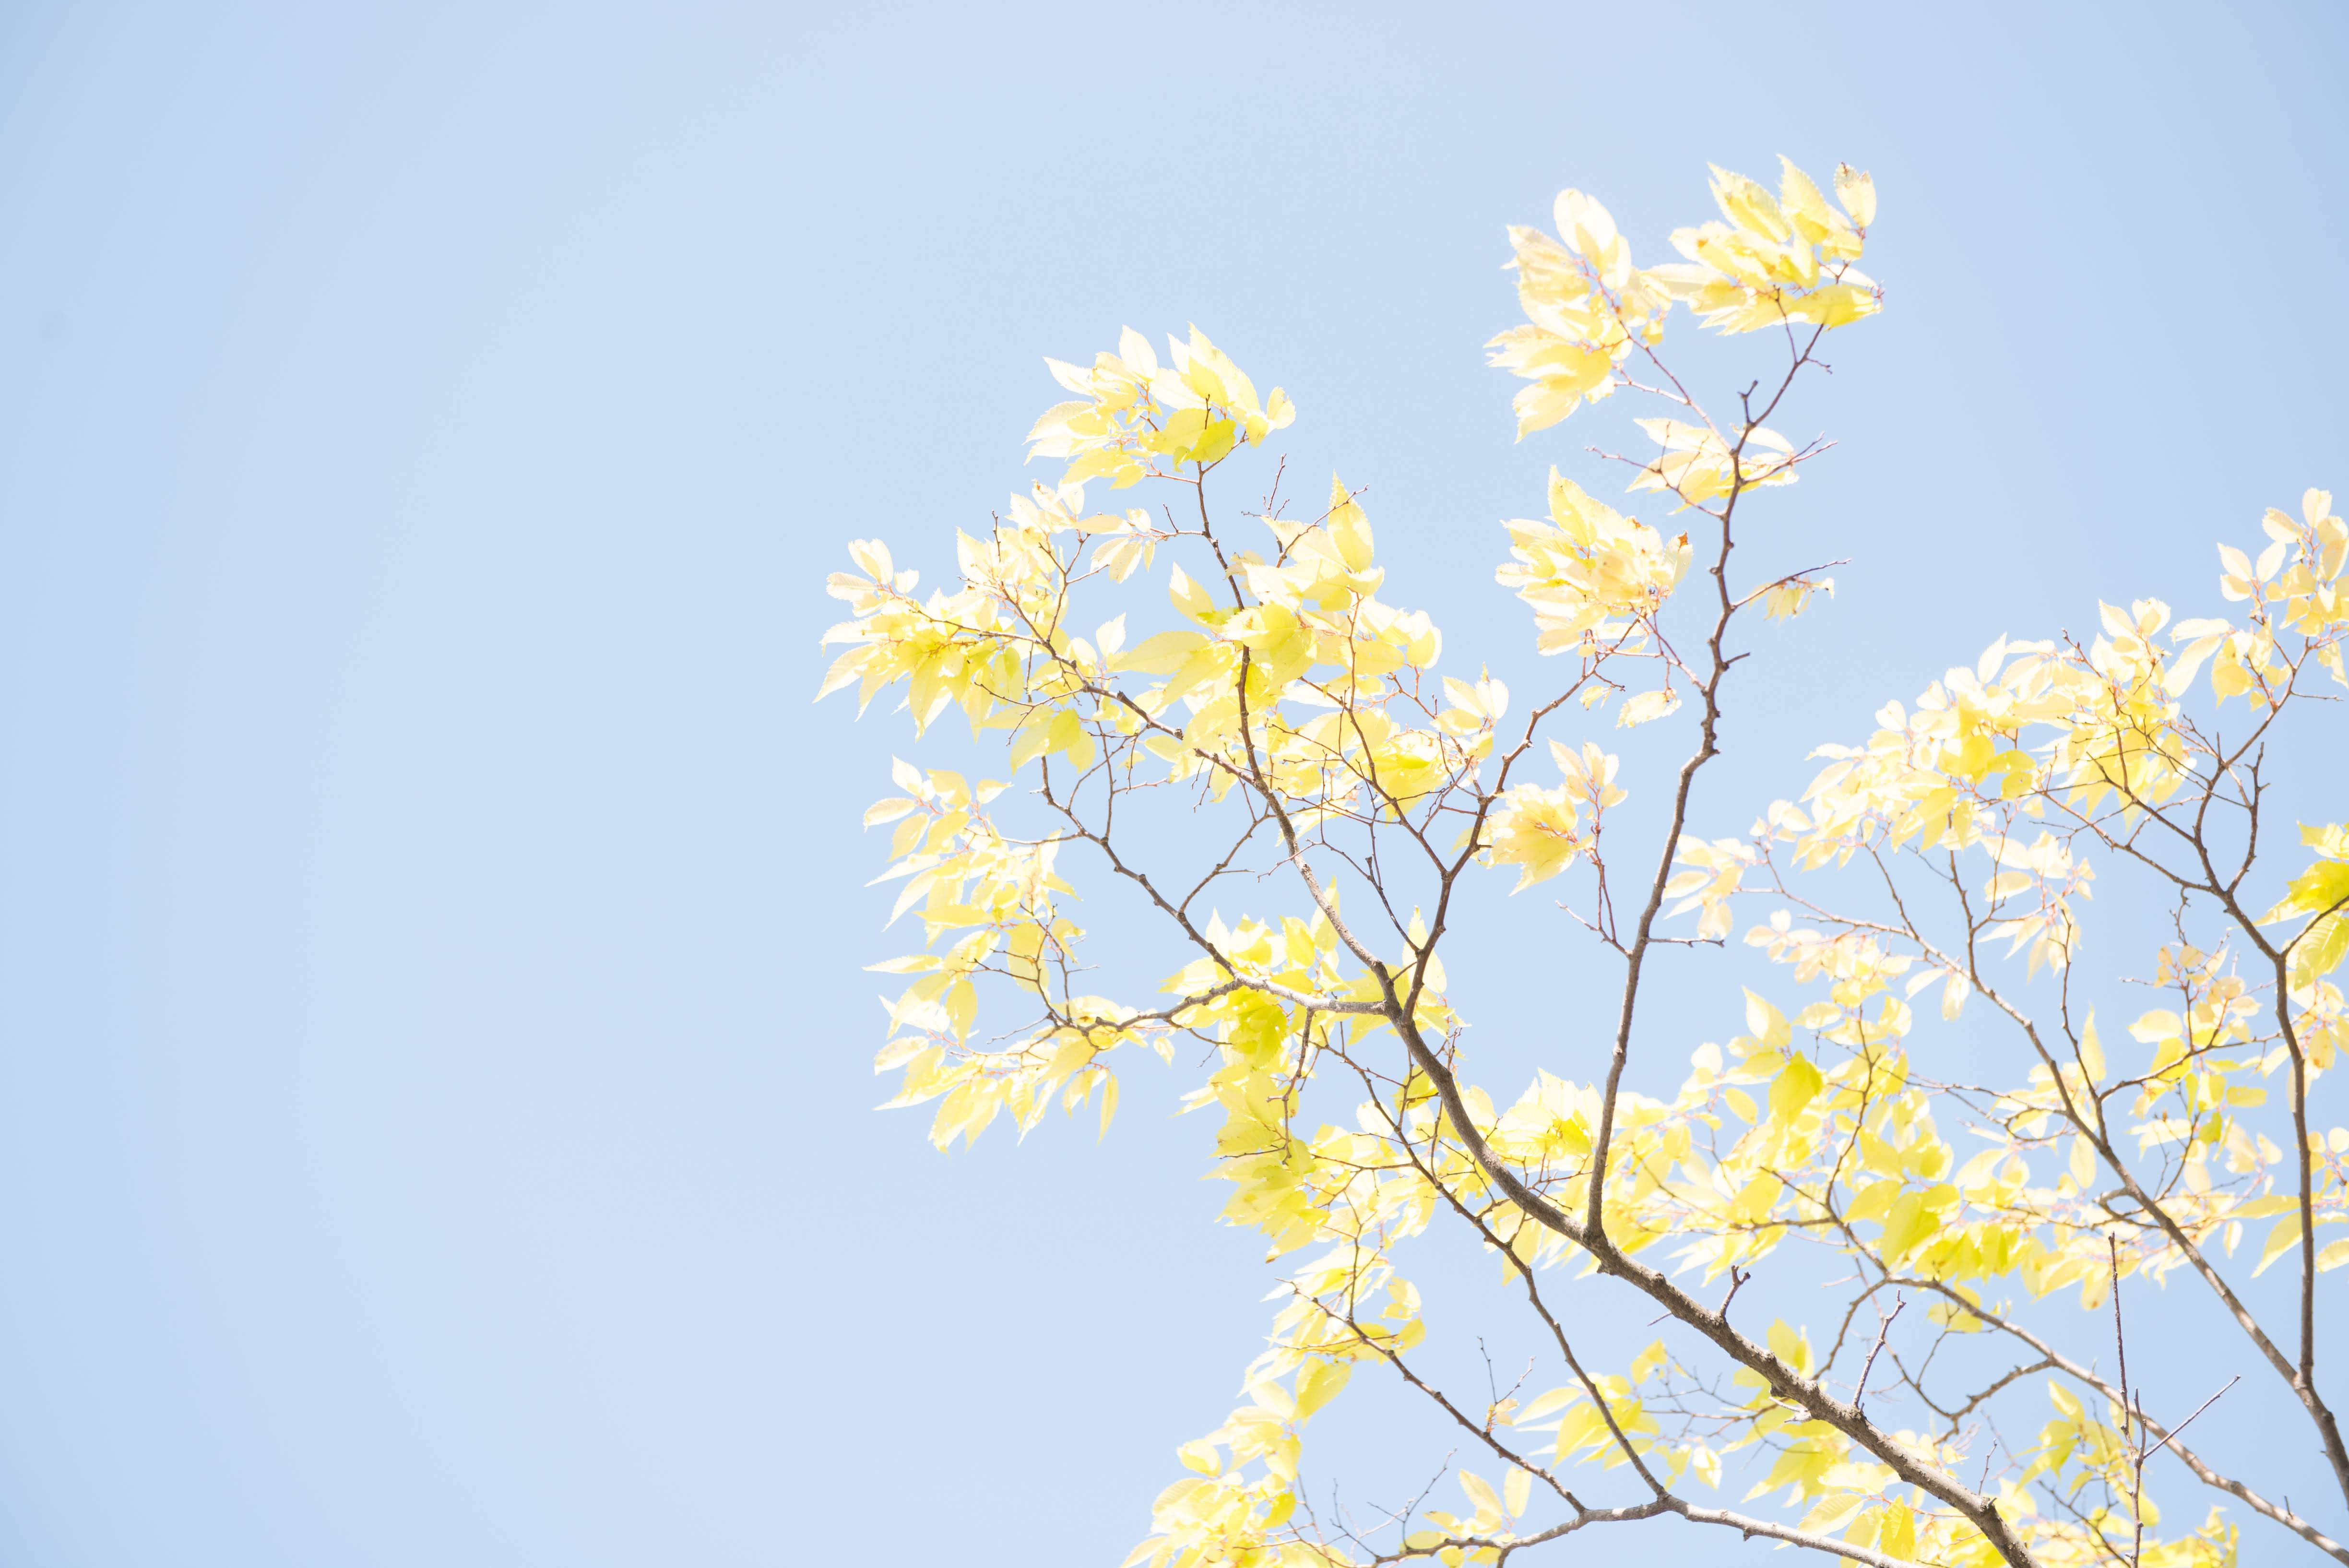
x=433, y=1054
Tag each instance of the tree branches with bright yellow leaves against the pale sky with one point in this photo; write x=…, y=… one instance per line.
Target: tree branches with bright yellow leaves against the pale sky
x=1948, y=1405
